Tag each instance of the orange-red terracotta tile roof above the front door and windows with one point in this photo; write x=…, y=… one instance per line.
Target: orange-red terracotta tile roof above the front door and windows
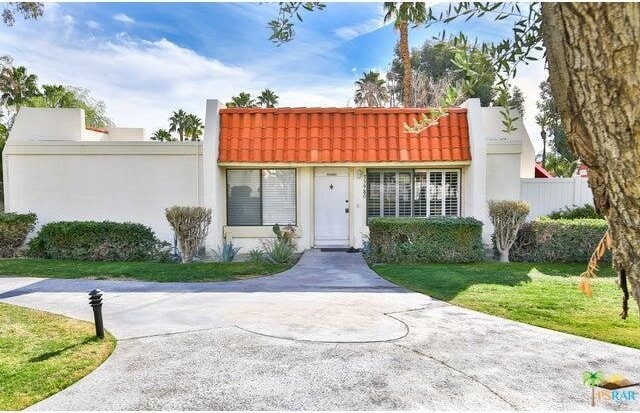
x=335, y=135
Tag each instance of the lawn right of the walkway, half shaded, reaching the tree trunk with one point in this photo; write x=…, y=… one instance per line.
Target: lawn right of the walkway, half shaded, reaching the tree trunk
x=544, y=295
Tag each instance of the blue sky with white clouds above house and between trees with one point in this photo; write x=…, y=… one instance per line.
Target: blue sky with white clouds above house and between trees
x=145, y=60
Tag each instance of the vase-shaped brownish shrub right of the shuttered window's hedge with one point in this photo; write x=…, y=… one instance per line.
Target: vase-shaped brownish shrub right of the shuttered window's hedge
x=507, y=217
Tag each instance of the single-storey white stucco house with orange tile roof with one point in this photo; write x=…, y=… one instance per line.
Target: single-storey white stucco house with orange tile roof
x=323, y=170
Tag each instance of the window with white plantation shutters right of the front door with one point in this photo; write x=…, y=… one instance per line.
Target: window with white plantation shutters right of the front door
x=418, y=193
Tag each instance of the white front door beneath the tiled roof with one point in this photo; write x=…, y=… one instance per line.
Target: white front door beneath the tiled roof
x=331, y=206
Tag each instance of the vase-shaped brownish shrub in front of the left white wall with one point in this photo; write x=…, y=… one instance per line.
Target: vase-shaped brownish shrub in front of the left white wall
x=191, y=225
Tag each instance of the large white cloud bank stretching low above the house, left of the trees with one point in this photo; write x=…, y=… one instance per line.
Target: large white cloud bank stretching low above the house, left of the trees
x=142, y=81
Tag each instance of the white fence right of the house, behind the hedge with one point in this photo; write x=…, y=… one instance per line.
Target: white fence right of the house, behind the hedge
x=550, y=194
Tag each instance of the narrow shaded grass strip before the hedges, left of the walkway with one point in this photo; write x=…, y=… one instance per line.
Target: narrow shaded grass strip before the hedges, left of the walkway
x=145, y=271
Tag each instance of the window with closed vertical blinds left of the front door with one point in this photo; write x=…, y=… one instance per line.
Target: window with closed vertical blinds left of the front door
x=261, y=197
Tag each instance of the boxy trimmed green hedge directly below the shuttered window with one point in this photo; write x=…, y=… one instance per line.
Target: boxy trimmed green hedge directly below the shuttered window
x=426, y=240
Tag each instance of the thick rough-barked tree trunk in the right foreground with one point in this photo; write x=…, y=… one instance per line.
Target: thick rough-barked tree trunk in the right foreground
x=593, y=52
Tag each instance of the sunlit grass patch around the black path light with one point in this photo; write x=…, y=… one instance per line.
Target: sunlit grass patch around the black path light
x=42, y=353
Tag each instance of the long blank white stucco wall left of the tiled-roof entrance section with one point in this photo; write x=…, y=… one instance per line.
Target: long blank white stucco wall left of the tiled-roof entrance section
x=136, y=186
